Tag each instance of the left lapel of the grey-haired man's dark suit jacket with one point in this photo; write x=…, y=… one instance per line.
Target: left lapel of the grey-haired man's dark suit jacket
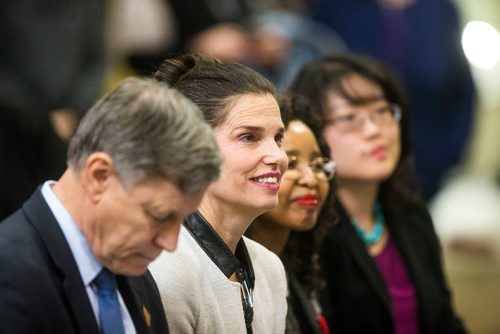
x=42, y=219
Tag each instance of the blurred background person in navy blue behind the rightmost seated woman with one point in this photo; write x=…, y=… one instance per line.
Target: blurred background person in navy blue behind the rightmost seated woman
x=420, y=40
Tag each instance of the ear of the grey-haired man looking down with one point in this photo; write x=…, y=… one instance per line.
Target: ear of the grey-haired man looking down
x=96, y=174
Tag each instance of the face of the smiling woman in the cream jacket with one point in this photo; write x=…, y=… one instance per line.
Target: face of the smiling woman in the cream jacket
x=250, y=140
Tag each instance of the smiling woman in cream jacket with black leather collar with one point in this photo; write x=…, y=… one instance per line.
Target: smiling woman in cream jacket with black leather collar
x=219, y=281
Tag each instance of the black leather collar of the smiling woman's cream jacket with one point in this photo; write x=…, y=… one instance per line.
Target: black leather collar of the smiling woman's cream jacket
x=218, y=251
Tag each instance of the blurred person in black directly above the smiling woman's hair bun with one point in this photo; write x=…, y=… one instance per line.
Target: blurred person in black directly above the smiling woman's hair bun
x=202, y=24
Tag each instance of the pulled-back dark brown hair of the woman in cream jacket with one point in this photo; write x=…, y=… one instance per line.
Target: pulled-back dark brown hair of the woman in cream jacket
x=211, y=84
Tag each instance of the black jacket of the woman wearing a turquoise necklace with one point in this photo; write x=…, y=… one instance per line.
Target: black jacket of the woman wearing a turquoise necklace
x=356, y=299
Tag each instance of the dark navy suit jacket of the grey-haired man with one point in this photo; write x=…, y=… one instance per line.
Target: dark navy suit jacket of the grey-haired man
x=41, y=290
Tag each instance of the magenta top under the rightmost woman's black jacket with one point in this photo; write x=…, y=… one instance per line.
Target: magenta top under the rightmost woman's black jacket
x=400, y=287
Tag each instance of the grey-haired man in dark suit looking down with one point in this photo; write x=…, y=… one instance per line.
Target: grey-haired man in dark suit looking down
x=74, y=258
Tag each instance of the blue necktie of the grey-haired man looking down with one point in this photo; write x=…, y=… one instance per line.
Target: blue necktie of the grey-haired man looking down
x=109, y=306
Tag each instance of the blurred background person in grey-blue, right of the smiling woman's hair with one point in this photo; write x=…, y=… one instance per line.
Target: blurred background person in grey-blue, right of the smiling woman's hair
x=284, y=39
